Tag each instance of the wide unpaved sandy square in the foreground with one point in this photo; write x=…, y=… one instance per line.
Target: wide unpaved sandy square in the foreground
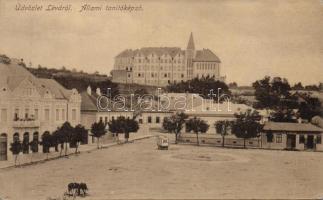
x=141, y=171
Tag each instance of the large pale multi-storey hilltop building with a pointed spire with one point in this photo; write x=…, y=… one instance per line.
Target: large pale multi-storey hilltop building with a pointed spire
x=160, y=66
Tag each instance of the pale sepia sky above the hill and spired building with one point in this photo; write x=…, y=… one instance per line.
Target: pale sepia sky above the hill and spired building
x=253, y=38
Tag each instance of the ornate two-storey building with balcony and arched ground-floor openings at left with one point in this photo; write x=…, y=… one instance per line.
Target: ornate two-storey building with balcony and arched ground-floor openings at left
x=29, y=106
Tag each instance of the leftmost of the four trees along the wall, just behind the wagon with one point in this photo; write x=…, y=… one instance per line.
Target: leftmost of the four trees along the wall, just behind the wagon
x=174, y=124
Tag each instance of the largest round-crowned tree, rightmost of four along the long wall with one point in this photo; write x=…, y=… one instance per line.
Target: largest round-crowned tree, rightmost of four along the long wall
x=246, y=125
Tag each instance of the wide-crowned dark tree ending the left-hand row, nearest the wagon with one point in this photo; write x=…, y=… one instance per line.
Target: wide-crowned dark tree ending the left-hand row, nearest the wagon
x=123, y=125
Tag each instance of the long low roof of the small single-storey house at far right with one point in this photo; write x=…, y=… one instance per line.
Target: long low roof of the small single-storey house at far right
x=291, y=127
